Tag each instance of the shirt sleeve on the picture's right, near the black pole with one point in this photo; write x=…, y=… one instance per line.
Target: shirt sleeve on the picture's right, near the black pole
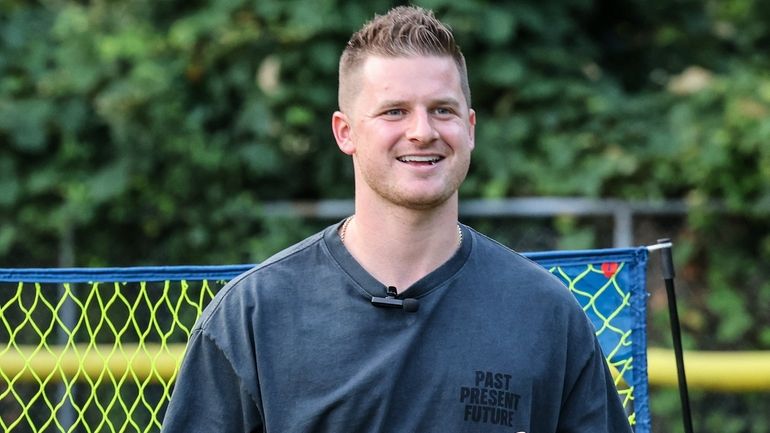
x=593, y=403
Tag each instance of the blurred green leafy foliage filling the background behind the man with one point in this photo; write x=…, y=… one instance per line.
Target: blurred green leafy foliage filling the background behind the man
x=150, y=132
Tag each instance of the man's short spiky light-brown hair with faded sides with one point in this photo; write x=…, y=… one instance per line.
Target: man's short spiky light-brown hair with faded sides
x=405, y=31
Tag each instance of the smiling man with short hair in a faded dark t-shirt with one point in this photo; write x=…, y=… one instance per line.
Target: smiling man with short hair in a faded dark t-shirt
x=398, y=319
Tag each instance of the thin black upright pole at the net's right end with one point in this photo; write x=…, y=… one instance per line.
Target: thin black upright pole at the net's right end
x=667, y=267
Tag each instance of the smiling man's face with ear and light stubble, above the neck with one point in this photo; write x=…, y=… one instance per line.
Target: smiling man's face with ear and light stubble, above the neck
x=409, y=130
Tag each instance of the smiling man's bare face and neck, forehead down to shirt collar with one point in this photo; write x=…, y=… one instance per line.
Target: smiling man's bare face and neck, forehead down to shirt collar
x=410, y=132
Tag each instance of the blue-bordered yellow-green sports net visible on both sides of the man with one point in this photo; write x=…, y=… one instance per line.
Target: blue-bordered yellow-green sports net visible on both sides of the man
x=97, y=350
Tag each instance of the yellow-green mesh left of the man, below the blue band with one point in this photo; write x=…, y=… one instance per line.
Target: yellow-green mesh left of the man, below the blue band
x=93, y=357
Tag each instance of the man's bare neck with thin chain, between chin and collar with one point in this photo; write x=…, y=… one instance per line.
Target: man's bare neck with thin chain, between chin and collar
x=401, y=246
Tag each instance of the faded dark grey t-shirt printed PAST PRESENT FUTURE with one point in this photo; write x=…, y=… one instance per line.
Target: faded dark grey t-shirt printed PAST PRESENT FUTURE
x=295, y=345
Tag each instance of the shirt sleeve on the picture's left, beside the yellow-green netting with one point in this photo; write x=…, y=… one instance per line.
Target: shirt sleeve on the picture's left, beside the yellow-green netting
x=208, y=395
